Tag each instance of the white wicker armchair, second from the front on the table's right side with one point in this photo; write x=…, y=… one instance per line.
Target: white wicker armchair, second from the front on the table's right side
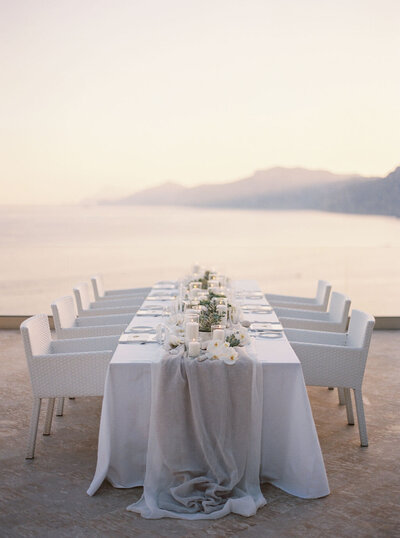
x=335, y=320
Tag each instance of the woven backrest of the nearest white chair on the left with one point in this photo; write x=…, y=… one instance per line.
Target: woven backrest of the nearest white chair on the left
x=36, y=336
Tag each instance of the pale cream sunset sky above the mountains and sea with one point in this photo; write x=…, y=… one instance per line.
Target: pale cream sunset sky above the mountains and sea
x=109, y=96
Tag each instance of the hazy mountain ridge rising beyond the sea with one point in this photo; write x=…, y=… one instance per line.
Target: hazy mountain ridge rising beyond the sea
x=284, y=188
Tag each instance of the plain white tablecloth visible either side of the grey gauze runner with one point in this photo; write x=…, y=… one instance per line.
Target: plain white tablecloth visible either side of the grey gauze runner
x=291, y=457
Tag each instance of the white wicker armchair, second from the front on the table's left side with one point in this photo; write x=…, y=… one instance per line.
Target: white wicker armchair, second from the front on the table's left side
x=67, y=325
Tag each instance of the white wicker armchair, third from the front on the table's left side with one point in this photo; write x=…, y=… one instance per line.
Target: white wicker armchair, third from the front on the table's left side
x=102, y=308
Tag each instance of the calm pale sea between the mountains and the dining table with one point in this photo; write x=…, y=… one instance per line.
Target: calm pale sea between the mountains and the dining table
x=45, y=251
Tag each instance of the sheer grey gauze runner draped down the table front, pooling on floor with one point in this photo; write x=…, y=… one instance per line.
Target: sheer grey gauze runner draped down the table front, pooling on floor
x=203, y=458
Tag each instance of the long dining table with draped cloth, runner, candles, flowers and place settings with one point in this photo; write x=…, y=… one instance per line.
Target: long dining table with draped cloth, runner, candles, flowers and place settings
x=204, y=401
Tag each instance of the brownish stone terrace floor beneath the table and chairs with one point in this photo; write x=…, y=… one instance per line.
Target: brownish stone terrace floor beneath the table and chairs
x=47, y=497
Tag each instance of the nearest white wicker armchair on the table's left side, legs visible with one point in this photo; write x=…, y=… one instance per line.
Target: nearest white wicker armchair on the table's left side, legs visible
x=60, y=368
